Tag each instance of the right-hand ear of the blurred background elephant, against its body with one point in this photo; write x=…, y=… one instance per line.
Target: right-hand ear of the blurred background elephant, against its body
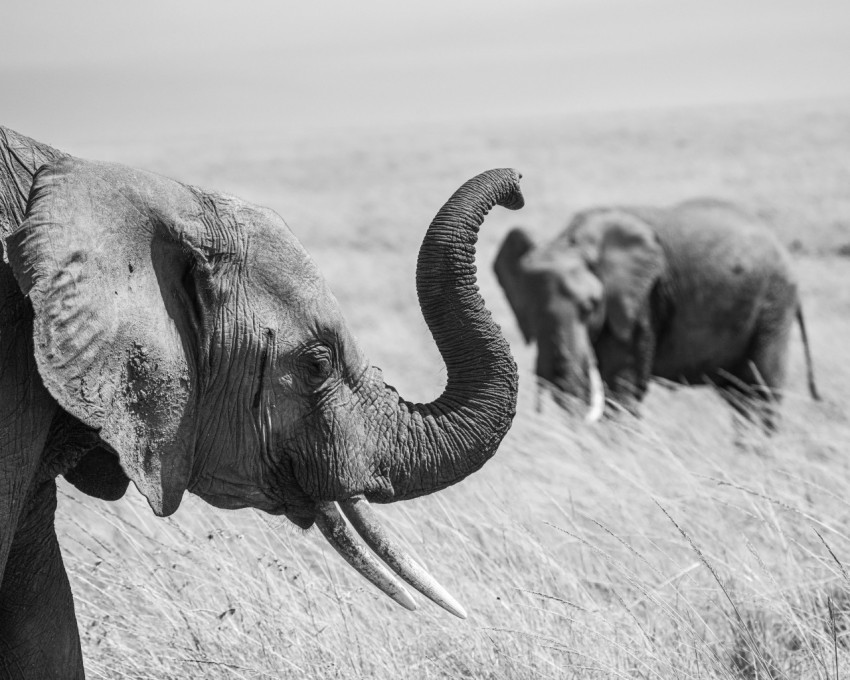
x=624, y=252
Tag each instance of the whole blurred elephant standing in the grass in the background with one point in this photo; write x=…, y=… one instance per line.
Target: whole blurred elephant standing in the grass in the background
x=699, y=292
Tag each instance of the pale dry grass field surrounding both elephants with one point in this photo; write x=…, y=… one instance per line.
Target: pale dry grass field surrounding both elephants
x=678, y=545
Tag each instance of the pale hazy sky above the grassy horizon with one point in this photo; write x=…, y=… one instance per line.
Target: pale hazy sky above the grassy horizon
x=82, y=71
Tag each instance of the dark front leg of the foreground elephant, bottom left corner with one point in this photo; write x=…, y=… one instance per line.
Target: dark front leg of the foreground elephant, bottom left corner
x=38, y=627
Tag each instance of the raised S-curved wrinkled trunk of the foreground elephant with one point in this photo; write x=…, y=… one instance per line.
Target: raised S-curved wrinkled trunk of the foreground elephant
x=440, y=443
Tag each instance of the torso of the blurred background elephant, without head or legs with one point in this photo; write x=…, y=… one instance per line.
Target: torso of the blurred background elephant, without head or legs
x=727, y=270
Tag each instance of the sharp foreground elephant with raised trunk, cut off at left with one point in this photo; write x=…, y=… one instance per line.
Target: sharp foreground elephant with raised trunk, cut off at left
x=184, y=340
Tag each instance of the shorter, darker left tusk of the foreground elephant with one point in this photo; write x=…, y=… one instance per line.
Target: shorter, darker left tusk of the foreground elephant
x=342, y=538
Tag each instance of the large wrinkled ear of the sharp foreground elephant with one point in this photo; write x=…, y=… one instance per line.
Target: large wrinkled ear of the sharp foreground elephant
x=108, y=256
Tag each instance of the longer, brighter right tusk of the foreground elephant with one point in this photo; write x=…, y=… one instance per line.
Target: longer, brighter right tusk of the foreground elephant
x=365, y=521
